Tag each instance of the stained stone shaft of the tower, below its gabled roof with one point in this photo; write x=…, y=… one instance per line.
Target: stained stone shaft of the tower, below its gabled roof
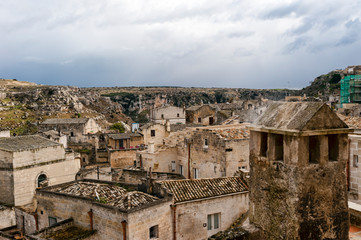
x=296, y=198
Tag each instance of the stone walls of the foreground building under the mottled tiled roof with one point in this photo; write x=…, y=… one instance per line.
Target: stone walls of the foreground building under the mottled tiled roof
x=108, y=221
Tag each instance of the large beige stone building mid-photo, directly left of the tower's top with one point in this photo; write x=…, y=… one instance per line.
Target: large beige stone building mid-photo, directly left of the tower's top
x=203, y=152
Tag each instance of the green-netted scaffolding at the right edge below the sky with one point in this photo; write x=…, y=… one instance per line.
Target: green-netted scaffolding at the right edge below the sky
x=350, y=89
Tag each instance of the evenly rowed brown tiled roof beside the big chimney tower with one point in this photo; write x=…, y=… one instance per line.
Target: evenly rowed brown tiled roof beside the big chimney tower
x=186, y=190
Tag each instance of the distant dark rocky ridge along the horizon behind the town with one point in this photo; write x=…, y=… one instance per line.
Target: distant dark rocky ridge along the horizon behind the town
x=136, y=100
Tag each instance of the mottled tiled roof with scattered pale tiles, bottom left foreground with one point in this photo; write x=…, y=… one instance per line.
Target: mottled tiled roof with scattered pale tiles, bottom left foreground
x=108, y=194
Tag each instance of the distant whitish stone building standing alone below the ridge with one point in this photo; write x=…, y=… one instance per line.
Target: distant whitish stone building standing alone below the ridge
x=172, y=114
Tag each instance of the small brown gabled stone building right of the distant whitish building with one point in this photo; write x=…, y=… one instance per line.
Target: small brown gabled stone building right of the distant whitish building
x=201, y=114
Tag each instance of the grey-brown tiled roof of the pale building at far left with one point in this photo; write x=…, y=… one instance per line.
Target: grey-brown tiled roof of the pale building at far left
x=22, y=143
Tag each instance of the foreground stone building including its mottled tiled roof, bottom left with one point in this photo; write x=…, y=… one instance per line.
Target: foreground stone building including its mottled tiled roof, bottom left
x=108, y=208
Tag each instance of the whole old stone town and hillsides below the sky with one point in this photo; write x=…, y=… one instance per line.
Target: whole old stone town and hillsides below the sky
x=105, y=164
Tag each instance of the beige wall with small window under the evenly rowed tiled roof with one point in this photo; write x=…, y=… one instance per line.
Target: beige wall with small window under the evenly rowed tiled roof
x=192, y=217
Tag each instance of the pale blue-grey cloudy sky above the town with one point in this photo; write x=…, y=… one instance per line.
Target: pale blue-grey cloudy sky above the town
x=213, y=43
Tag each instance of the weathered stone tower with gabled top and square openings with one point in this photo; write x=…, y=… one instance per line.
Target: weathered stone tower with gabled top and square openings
x=298, y=156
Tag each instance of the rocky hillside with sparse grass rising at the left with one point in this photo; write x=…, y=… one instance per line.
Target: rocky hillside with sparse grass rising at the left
x=23, y=106
